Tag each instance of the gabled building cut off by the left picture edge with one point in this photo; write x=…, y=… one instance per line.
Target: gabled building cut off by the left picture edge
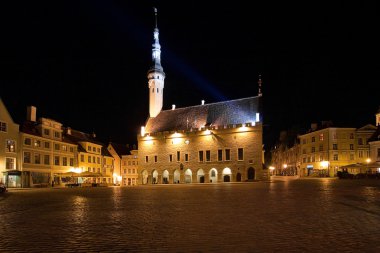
x=10, y=174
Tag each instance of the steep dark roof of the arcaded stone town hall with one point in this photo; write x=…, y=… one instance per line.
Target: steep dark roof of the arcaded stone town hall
x=223, y=113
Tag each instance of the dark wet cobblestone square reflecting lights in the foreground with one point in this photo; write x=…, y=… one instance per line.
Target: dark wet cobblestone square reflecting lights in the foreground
x=305, y=215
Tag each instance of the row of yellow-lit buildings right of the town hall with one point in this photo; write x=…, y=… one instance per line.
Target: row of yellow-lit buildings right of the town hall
x=324, y=150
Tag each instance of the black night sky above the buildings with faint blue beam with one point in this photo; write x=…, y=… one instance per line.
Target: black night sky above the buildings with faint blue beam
x=84, y=63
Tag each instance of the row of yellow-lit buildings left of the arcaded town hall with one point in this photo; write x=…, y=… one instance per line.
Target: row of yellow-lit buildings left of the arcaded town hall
x=42, y=152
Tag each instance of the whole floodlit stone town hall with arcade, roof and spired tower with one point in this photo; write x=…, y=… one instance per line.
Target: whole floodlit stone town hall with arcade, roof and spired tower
x=208, y=143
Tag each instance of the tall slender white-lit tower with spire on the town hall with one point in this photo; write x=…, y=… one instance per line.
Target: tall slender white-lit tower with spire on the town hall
x=156, y=75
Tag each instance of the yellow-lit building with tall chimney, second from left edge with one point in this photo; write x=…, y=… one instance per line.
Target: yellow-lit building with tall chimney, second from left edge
x=45, y=153
